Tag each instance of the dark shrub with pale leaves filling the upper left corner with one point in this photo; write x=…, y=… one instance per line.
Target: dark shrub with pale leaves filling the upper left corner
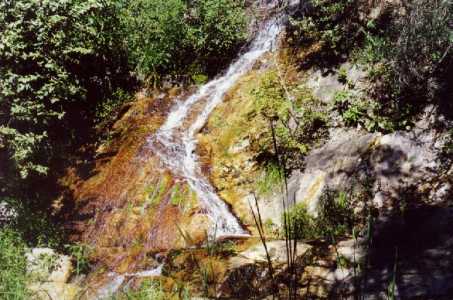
x=55, y=58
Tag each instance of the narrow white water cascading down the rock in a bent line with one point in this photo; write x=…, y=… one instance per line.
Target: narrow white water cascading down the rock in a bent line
x=175, y=142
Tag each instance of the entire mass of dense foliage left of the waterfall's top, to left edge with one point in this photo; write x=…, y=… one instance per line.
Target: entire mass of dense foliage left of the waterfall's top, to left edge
x=64, y=66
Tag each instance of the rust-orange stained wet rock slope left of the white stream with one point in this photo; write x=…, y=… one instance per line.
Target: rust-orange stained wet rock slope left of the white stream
x=110, y=210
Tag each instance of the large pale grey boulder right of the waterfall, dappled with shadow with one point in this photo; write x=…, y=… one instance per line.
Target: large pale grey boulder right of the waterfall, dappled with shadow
x=391, y=164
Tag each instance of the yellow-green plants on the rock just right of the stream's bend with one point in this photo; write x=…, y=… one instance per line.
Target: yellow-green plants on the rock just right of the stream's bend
x=296, y=120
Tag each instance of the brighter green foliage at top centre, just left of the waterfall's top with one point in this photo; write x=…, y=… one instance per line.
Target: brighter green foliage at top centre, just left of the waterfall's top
x=178, y=38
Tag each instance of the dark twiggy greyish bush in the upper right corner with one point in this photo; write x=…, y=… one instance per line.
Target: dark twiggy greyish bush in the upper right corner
x=410, y=57
